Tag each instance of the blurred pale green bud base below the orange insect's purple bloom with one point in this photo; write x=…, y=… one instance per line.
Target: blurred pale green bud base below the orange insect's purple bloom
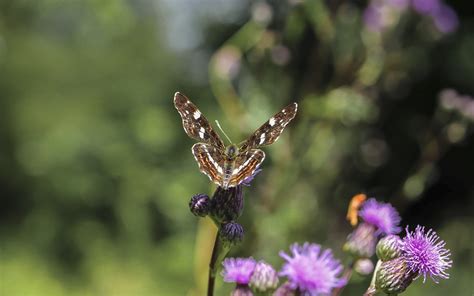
x=361, y=242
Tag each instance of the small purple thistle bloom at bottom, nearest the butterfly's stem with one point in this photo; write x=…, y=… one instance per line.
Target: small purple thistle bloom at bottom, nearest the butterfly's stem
x=238, y=270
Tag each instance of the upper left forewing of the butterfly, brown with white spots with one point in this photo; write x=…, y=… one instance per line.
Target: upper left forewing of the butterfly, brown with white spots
x=194, y=122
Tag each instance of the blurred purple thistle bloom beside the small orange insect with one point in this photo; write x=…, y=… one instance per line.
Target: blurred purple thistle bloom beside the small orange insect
x=381, y=215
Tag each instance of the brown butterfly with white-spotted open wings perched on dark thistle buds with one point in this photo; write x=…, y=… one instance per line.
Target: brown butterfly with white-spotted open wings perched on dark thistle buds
x=228, y=166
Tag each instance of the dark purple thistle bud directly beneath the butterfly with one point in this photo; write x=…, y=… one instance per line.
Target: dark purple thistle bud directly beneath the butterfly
x=227, y=204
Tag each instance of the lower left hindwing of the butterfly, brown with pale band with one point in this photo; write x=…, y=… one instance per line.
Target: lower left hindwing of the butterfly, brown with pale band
x=211, y=161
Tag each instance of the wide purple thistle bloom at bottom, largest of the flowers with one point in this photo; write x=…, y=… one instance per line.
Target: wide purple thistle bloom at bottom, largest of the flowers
x=311, y=270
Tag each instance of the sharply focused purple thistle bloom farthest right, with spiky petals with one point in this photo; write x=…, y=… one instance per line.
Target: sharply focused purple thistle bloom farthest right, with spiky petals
x=425, y=254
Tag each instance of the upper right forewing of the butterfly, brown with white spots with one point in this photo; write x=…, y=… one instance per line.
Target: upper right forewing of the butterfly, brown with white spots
x=269, y=132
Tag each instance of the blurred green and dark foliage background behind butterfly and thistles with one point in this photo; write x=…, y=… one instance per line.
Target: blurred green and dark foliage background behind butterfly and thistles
x=96, y=171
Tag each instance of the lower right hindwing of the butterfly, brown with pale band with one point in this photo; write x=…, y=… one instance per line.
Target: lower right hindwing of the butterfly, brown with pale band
x=245, y=165
